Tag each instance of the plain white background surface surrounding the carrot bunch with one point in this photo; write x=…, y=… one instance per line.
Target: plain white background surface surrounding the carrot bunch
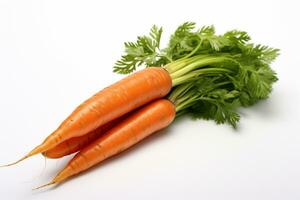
x=55, y=54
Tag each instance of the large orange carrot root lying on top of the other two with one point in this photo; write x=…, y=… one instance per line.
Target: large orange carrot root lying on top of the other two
x=110, y=103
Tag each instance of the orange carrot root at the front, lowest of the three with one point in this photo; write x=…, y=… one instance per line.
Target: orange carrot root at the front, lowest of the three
x=142, y=123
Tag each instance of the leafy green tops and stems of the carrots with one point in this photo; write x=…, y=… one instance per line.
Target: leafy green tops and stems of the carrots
x=212, y=75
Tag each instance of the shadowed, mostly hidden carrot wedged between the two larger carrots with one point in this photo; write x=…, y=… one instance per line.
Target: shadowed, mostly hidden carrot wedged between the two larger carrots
x=75, y=144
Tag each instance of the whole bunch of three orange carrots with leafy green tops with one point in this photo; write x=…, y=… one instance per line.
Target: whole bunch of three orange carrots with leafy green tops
x=199, y=73
